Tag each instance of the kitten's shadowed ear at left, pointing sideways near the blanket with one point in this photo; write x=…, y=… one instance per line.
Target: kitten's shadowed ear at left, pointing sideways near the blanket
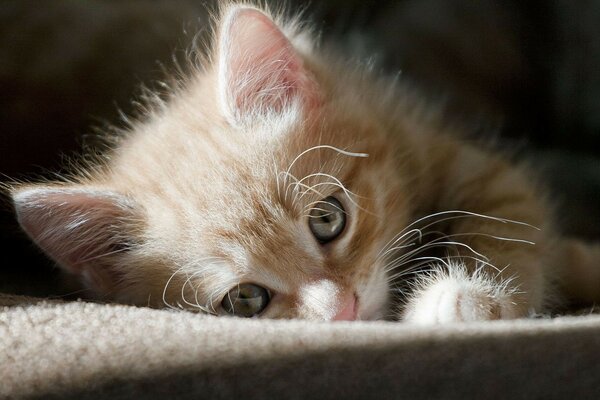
x=79, y=228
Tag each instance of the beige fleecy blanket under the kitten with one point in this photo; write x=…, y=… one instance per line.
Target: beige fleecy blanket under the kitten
x=84, y=350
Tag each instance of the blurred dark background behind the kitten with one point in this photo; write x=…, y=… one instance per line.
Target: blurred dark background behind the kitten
x=527, y=72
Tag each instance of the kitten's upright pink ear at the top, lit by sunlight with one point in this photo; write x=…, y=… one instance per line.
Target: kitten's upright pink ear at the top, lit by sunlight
x=260, y=72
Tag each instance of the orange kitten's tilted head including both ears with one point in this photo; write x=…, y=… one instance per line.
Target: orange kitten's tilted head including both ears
x=263, y=187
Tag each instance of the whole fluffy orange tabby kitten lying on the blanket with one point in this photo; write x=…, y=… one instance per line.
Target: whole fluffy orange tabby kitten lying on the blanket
x=279, y=181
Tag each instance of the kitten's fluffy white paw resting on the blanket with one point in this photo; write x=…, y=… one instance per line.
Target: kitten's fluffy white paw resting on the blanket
x=458, y=297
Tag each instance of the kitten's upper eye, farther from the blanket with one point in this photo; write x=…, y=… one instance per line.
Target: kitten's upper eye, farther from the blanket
x=327, y=220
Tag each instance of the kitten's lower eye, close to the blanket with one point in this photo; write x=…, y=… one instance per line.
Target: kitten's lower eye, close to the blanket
x=246, y=300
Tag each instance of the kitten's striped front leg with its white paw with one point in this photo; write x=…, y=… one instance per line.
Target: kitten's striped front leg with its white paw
x=512, y=280
